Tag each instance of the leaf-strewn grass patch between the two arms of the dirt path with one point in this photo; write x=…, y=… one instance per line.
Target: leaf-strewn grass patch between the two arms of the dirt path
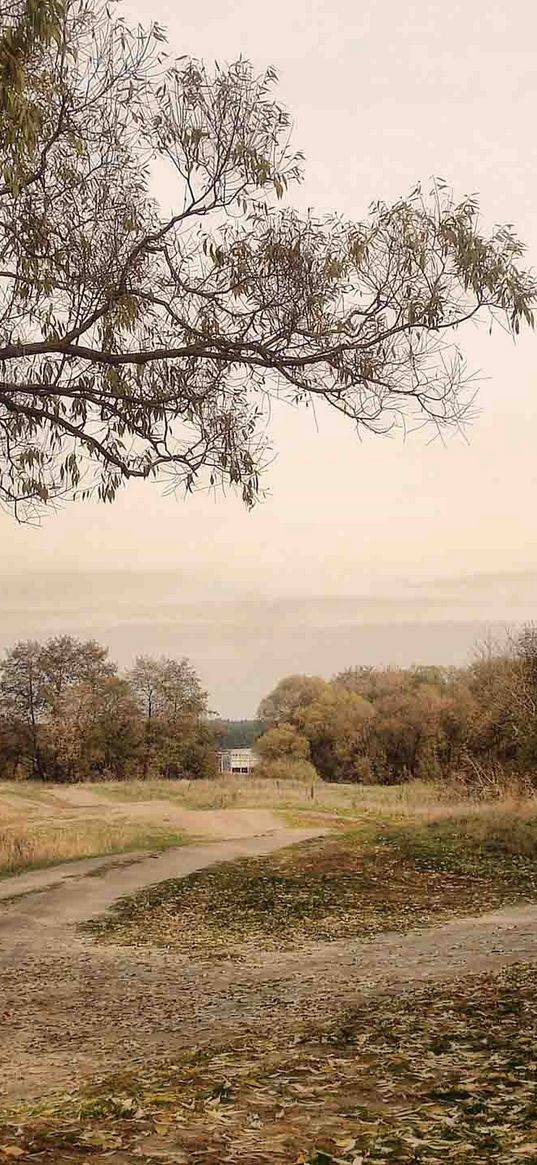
x=383, y=877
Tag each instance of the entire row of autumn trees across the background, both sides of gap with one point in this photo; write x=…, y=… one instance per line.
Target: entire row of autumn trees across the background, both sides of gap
x=68, y=715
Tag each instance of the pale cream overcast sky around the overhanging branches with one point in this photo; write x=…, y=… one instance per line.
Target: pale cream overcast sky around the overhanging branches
x=375, y=550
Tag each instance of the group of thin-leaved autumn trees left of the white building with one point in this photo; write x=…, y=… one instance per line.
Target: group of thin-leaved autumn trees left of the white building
x=68, y=715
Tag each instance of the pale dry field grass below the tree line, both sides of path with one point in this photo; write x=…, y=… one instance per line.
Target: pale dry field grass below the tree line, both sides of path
x=38, y=829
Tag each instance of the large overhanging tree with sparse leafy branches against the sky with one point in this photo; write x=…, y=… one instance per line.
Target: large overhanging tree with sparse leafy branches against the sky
x=140, y=338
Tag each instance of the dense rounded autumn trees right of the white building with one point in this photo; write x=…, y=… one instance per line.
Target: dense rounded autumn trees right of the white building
x=476, y=724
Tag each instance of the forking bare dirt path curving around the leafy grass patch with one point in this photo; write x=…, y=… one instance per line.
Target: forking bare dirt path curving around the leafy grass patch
x=70, y=1008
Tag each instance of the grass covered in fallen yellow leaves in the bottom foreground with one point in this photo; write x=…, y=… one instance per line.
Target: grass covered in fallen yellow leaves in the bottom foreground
x=442, y=1074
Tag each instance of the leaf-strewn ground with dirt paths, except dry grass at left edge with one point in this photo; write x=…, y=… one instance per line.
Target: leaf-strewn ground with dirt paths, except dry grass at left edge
x=299, y=1021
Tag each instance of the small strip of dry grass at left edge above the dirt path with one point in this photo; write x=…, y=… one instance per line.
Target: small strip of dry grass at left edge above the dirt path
x=34, y=845
